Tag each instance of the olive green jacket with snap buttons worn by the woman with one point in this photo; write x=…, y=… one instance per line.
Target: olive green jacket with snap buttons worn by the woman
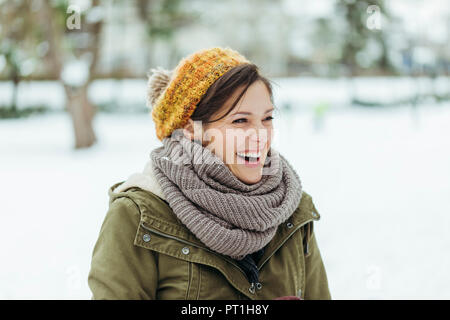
x=144, y=252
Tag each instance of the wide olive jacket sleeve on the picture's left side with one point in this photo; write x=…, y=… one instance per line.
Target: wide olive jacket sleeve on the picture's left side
x=119, y=269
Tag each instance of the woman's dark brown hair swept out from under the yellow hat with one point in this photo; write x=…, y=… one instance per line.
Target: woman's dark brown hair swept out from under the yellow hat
x=224, y=87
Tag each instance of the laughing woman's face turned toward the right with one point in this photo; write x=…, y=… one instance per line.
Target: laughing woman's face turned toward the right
x=243, y=138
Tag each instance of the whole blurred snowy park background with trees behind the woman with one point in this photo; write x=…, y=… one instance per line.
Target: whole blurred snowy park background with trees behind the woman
x=363, y=96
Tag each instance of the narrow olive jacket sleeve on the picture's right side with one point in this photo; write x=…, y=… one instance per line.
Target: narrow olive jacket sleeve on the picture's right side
x=316, y=287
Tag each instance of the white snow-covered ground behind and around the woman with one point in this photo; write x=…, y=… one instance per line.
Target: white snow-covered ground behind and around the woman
x=379, y=178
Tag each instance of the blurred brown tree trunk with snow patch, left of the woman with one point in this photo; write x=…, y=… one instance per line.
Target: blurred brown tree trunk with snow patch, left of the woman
x=53, y=21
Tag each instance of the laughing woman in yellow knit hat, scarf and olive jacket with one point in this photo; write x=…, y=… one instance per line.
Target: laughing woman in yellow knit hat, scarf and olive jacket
x=217, y=212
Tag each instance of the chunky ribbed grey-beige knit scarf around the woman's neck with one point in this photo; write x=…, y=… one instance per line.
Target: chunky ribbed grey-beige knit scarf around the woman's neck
x=229, y=216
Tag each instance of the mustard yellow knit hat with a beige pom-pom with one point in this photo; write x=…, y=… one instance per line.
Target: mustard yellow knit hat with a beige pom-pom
x=173, y=95
